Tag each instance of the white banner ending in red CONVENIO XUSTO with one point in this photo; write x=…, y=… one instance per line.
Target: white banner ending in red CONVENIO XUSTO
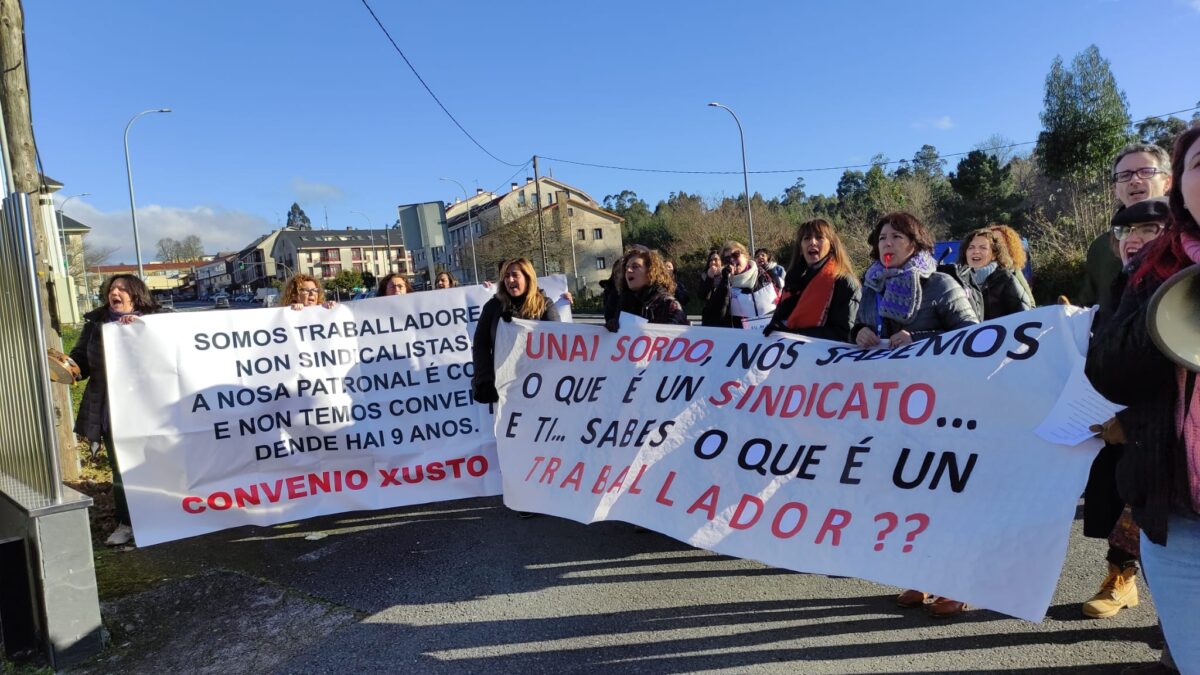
x=268, y=416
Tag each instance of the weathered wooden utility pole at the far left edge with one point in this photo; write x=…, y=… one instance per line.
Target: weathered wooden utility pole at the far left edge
x=19, y=128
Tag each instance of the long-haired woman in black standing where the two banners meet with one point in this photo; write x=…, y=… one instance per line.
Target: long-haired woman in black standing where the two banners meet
x=517, y=296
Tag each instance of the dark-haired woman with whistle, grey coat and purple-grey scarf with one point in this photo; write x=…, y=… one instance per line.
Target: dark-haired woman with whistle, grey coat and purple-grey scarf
x=907, y=300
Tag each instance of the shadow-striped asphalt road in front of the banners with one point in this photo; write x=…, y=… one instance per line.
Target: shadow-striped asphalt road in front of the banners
x=470, y=588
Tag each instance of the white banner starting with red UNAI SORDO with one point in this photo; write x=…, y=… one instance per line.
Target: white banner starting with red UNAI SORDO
x=928, y=467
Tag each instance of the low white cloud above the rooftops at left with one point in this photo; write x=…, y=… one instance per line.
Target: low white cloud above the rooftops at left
x=218, y=229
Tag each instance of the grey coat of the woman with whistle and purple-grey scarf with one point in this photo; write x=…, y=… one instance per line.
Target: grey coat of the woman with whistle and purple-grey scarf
x=944, y=307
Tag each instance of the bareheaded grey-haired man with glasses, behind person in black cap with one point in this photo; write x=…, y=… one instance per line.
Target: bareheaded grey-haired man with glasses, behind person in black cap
x=1141, y=171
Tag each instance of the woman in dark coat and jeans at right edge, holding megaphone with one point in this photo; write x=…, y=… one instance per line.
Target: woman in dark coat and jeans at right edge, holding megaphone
x=1159, y=474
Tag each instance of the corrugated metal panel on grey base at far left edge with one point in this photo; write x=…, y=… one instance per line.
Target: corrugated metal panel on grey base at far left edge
x=29, y=469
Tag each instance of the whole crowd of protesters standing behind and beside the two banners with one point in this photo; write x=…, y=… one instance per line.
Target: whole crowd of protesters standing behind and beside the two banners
x=1144, y=488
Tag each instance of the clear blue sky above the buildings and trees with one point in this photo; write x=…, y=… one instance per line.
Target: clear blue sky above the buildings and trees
x=303, y=101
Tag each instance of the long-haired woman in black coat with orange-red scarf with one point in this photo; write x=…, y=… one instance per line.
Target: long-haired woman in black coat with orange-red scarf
x=821, y=295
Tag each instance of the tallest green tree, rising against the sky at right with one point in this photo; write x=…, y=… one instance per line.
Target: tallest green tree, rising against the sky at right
x=1085, y=121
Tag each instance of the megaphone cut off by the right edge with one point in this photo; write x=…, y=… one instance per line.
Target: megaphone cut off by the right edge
x=1174, y=318
